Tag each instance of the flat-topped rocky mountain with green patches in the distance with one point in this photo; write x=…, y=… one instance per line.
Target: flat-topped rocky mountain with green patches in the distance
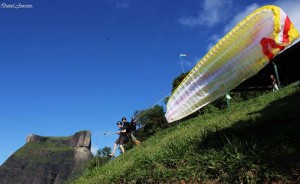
x=47, y=160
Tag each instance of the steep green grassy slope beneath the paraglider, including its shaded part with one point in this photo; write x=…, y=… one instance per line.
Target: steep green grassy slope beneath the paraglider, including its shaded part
x=257, y=141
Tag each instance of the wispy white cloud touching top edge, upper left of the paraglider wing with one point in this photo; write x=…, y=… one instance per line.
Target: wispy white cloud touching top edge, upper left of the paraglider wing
x=211, y=13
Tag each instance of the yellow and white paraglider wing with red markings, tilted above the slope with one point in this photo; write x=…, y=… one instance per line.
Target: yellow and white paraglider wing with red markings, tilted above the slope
x=244, y=51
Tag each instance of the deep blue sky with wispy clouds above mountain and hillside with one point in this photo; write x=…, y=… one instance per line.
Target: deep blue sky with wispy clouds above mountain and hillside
x=71, y=65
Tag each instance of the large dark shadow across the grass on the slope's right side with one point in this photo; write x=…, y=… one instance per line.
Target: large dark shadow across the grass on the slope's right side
x=268, y=144
